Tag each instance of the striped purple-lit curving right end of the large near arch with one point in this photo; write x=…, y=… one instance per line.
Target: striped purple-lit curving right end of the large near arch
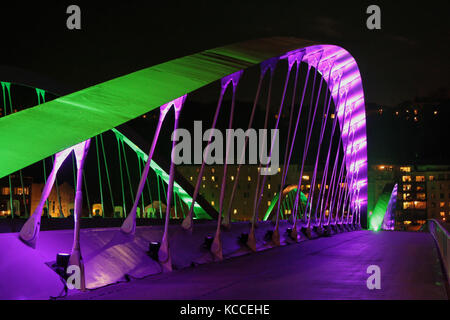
x=344, y=80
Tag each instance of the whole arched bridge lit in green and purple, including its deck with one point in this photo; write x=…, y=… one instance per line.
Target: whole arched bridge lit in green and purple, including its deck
x=310, y=222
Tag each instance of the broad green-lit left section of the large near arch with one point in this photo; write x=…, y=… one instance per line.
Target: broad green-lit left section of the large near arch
x=29, y=135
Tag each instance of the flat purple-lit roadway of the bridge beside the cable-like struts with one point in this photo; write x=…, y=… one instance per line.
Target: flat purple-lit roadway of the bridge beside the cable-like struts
x=325, y=268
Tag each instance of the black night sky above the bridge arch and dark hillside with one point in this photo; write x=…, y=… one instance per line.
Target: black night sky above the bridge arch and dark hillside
x=408, y=57
